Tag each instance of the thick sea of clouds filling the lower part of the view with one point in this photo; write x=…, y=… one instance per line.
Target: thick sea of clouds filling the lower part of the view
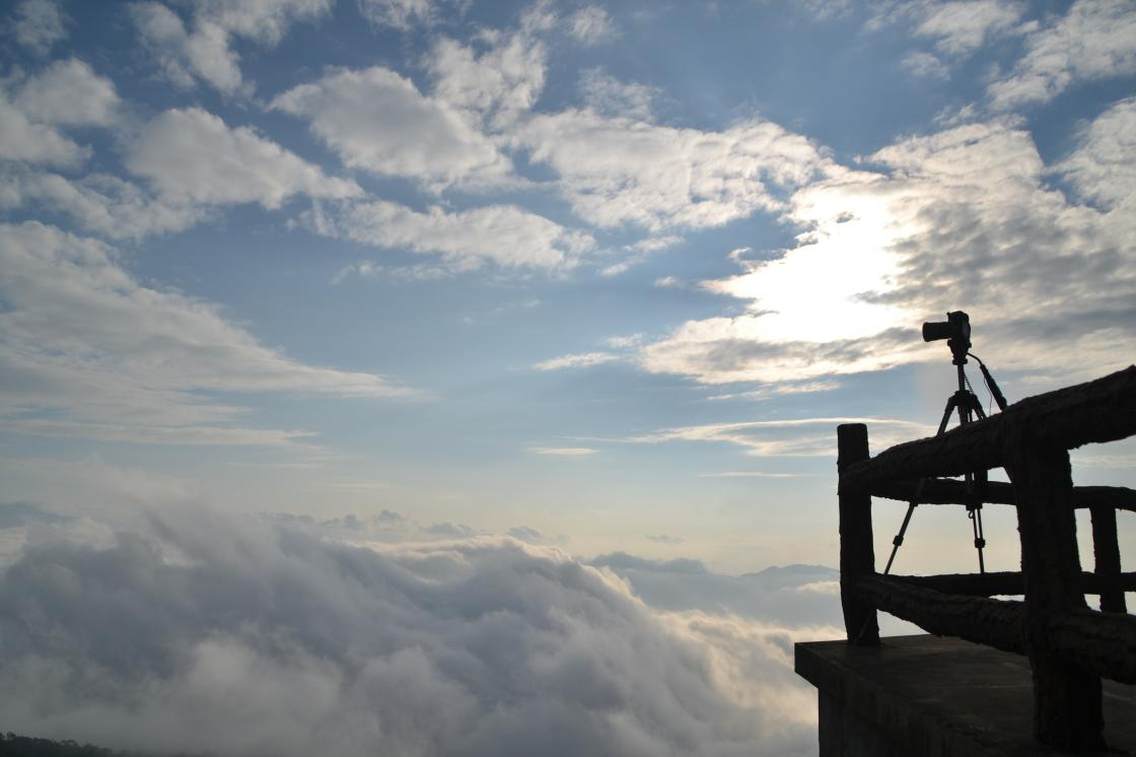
x=193, y=631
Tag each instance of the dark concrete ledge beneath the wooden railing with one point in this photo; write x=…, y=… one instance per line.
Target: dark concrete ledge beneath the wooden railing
x=935, y=696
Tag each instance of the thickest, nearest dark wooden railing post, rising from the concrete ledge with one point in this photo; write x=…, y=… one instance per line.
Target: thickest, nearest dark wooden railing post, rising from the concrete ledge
x=1067, y=698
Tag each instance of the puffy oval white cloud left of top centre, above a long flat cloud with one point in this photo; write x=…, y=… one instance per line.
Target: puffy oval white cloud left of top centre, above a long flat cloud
x=378, y=121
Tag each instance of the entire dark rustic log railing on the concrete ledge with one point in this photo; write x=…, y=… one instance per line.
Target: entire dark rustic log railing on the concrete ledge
x=1070, y=646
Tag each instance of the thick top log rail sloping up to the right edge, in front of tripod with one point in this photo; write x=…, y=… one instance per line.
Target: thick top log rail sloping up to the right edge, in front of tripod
x=1098, y=411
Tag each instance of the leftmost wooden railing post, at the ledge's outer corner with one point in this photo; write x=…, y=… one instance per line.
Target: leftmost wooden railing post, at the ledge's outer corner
x=858, y=554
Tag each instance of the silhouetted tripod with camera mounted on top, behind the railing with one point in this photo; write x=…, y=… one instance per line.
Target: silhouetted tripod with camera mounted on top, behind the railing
x=964, y=402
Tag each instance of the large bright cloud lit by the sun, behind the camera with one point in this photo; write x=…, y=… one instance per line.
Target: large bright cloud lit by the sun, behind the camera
x=963, y=220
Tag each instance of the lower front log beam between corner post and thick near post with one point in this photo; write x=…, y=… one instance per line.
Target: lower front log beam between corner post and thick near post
x=991, y=622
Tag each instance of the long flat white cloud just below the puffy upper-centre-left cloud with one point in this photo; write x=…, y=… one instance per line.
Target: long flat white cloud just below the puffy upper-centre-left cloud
x=504, y=235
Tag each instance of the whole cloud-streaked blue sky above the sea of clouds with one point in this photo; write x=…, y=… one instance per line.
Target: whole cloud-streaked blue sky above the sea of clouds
x=608, y=272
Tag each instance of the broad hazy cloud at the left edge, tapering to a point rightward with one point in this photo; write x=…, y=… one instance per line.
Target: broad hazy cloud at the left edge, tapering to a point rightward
x=88, y=351
